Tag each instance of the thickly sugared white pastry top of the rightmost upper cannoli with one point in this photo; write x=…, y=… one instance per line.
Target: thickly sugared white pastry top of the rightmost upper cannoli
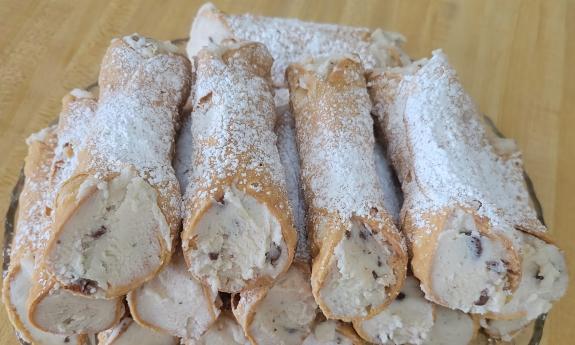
x=453, y=158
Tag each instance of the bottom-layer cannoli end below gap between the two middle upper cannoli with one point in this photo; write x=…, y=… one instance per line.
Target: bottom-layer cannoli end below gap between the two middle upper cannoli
x=282, y=314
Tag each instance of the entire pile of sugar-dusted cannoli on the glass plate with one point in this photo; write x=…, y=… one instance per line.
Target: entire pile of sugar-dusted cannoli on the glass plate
x=303, y=183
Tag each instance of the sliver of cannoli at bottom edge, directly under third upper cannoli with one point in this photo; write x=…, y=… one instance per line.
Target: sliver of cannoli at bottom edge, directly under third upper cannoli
x=332, y=332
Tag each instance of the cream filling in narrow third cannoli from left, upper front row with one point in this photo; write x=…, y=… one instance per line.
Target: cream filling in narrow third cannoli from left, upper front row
x=359, y=274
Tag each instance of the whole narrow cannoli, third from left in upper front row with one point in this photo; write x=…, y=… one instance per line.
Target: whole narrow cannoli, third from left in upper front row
x=359, y=256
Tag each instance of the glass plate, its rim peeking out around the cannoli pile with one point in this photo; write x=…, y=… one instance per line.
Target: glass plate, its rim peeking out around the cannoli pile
x=530, y=335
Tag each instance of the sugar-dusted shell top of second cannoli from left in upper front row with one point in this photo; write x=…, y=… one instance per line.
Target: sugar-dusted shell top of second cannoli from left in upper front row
x=233, y=121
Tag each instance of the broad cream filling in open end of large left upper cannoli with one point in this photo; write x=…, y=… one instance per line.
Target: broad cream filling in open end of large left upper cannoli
x=114, y=236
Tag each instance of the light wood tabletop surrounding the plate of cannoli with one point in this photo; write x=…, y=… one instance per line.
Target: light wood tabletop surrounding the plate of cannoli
x=515, y=58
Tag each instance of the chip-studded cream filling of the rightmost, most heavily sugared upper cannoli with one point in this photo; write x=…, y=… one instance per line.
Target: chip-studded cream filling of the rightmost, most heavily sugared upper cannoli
x=469, y=271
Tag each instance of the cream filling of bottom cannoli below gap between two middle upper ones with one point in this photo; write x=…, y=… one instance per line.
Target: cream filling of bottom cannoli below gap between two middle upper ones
x=286, y=313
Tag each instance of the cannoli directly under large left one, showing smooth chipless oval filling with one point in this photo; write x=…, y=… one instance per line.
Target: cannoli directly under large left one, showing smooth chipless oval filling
x=52, y=307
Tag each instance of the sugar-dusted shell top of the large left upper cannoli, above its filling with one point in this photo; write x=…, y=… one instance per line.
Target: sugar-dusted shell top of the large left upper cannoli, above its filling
x=138, y=114
